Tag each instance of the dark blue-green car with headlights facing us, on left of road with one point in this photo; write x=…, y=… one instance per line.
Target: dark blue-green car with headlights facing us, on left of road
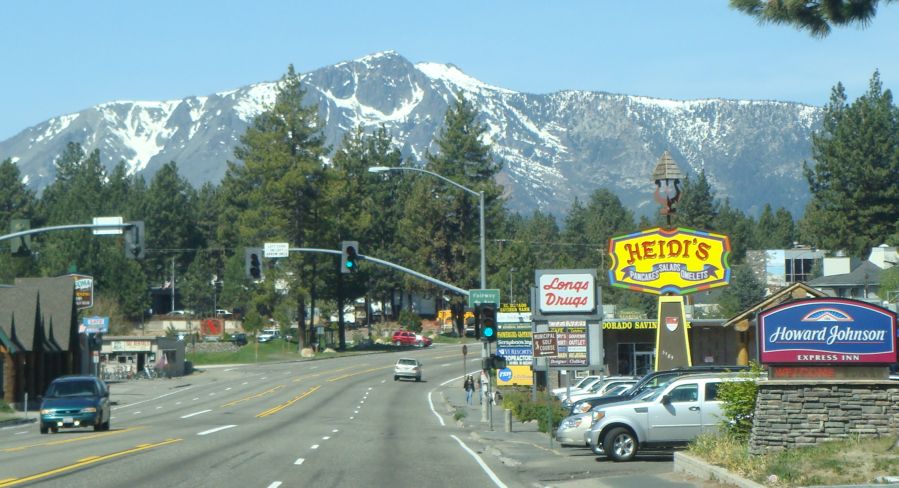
x=75, y=402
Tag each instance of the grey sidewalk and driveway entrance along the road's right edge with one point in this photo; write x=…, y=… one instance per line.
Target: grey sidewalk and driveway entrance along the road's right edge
x=542, y=462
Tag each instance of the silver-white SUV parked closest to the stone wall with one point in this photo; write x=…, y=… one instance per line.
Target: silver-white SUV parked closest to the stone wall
x=670, y=416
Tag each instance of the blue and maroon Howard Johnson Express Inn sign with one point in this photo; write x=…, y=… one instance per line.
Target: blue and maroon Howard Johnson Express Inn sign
x=827, y=330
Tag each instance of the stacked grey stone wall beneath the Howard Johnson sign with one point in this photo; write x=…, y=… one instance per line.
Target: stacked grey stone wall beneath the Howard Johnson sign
x=798, y=413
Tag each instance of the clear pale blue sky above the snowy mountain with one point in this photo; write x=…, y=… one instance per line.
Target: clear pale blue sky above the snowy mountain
x=61, y=57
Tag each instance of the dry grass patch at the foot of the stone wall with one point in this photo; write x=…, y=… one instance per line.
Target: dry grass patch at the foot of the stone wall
x=849, y=461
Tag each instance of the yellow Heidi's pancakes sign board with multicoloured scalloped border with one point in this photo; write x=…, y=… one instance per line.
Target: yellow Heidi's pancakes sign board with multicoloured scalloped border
x=678, y=261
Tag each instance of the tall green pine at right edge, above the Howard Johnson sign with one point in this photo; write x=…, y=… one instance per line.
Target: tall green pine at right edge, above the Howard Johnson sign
x=854, y=196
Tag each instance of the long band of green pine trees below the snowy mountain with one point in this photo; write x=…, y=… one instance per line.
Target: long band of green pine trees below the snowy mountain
x=286, y=185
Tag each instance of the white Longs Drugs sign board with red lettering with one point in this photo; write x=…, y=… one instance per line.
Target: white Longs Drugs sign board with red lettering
x=566, y=293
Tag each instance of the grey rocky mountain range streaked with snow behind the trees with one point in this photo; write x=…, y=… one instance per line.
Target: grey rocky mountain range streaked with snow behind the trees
x=554, y=147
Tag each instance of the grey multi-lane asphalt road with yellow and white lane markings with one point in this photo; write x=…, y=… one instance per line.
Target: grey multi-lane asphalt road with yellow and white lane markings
x=335, y=423
